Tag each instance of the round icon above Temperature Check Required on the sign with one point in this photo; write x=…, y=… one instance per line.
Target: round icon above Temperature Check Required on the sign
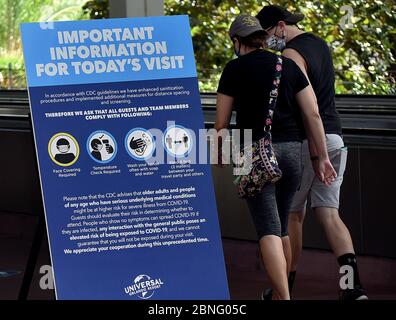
x=101, y=146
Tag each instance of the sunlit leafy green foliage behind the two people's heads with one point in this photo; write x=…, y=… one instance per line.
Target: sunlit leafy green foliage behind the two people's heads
x=363, y=55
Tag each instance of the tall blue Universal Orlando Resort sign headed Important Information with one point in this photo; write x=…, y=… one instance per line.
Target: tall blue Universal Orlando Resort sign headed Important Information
x=128, y=192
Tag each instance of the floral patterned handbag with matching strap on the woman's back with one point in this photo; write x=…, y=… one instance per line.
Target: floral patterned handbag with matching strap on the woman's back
x=258, y=159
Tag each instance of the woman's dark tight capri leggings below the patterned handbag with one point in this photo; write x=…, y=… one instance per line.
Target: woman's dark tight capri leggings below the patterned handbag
x=270, y=208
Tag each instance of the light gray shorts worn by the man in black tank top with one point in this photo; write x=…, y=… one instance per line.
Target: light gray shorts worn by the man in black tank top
x=321, y=195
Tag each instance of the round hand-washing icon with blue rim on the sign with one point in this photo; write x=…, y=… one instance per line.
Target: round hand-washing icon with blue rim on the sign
x=140, y=144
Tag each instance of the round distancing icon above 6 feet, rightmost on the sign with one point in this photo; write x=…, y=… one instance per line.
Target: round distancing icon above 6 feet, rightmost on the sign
x=178, y=141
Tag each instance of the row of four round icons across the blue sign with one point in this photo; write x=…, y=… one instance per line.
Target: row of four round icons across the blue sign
x=101, y=146
